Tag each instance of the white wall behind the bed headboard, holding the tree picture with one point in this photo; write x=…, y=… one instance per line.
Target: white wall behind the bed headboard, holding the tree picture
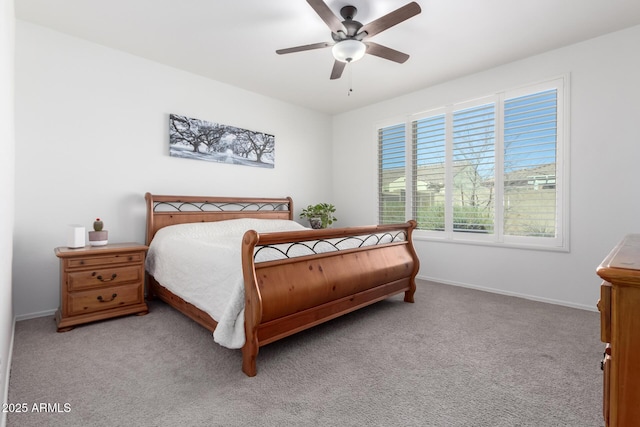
x=92, y=138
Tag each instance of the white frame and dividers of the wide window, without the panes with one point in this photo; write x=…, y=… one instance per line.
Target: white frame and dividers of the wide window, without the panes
x=498, y=238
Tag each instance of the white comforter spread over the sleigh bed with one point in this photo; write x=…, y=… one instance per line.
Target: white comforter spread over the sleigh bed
x=201, y=263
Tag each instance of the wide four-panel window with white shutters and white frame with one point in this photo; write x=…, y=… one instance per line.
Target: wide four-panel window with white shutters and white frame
x=488, y=170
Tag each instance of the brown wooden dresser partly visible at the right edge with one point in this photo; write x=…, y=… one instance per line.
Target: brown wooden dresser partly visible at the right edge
x=619, y=307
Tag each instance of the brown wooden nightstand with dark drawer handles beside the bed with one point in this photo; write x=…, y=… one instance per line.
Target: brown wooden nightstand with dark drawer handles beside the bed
x=100, y=282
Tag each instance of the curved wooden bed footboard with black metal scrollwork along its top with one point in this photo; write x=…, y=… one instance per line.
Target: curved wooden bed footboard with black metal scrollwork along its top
x=294, y=293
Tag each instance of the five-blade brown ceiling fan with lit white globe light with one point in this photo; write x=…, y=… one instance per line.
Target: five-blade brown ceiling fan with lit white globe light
x=351, y=38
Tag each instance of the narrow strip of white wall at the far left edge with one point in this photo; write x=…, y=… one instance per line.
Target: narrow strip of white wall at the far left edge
x=7, y=145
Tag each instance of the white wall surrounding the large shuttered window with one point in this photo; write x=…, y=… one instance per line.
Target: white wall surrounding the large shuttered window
x=604, y=170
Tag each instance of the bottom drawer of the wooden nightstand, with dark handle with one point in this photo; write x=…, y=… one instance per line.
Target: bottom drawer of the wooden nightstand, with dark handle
x=104, y=299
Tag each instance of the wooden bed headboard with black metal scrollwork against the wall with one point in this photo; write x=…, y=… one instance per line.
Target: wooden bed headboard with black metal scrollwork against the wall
x=169, y=210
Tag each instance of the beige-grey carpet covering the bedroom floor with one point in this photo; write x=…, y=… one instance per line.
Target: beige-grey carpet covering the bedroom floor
x=457, y=357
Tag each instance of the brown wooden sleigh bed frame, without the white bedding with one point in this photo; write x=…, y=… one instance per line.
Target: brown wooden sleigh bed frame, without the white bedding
x=288, y=295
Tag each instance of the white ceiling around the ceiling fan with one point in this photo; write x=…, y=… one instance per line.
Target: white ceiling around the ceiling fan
x=234, y=41
